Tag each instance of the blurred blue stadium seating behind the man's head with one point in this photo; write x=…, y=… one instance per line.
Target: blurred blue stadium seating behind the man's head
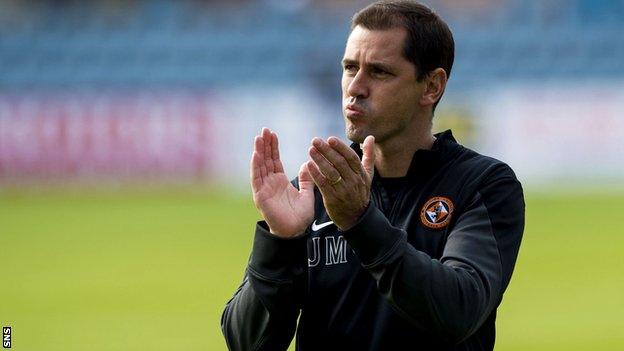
x=65, y=44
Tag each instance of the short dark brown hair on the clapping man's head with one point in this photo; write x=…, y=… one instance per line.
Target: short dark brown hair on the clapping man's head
x=429, y=43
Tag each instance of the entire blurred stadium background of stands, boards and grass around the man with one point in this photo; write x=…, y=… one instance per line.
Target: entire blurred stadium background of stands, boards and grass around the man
x=126, y=129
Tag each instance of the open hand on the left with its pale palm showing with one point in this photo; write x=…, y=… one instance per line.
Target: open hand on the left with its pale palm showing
x=287, y=211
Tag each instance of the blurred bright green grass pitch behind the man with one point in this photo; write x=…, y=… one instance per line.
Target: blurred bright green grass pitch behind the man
x=152, y=270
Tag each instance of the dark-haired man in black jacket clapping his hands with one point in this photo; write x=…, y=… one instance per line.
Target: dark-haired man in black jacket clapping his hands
x=403, y=241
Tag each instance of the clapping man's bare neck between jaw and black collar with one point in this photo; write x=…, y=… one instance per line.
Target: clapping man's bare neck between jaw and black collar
x=394, y=155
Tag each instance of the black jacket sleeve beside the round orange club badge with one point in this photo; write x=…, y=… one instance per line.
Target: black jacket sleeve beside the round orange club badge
x=450, y=297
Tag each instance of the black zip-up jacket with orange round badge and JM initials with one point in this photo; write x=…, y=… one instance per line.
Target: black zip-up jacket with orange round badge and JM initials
x=423, y=272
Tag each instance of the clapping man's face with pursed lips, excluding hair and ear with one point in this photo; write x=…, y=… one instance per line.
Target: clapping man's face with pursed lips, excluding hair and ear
x=380, y=93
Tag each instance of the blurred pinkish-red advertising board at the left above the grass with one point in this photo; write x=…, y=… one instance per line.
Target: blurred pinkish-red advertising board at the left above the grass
x=105, y=135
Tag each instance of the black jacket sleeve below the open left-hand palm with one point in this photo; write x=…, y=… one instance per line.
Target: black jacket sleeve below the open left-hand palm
x=262, y=314
